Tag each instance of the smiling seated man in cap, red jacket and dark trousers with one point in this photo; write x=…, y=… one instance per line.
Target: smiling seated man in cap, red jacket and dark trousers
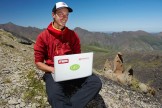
x=57, y=39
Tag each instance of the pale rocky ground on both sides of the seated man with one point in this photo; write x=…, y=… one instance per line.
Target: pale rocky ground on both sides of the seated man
x=19, y=77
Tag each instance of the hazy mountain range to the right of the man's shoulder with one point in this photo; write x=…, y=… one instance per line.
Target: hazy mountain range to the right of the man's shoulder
x=124, y=41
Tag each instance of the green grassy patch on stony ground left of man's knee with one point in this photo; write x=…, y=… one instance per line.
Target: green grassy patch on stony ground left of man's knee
x=36, y=90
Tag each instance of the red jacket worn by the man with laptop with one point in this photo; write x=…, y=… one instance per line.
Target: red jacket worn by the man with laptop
x=52, y=42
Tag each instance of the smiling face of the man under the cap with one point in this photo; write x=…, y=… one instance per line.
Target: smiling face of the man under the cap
x=61, y=16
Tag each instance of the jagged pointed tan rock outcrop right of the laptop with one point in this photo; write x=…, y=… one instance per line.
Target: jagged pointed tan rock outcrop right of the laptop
x=118, y=73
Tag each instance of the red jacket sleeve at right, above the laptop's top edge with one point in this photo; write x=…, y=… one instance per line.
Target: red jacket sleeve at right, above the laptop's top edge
x=76, y=45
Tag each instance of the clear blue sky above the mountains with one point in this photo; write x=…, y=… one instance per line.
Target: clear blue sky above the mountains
x=92, y=15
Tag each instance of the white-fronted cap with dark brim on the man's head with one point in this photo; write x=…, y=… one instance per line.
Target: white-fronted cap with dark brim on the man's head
x=59, y=5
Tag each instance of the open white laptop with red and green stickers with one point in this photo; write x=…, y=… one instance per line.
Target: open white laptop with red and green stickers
x=68, y=67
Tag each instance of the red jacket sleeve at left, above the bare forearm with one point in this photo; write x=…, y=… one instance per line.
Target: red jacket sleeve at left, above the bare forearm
x=40, y=48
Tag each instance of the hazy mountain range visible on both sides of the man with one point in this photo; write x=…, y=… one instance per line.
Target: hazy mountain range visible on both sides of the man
x=122, y=41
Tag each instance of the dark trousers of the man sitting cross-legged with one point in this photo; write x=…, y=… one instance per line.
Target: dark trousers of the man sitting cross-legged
x=73, y=93
